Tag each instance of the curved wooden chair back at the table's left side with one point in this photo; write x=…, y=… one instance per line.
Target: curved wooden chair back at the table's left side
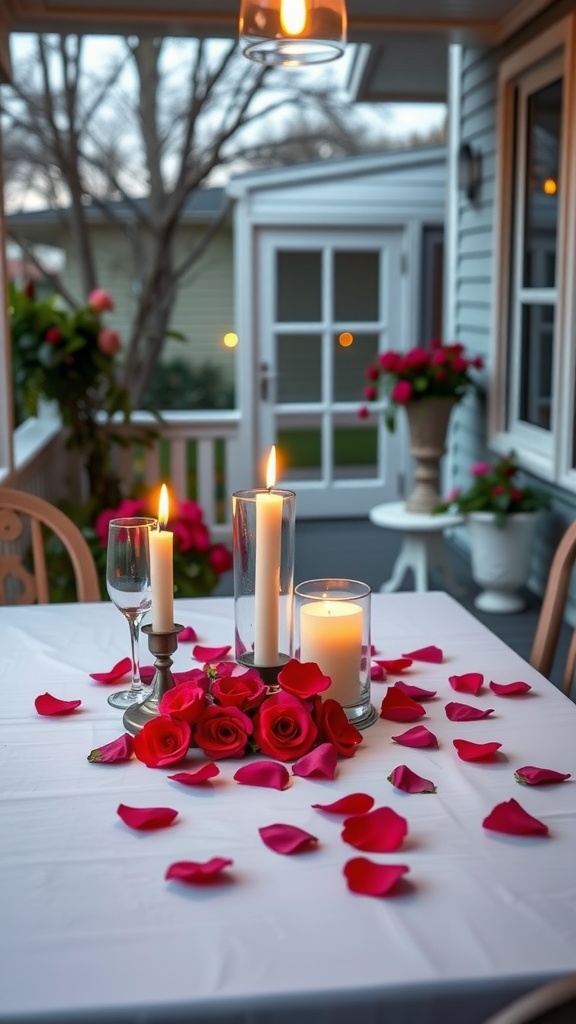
x=20, y=513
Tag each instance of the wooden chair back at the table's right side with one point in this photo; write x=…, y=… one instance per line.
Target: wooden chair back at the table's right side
x=553, y=612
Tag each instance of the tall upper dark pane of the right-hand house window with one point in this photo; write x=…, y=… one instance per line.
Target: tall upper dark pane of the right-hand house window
x=543, y=187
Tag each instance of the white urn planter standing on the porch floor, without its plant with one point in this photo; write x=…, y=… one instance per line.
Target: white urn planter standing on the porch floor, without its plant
x=501, y=560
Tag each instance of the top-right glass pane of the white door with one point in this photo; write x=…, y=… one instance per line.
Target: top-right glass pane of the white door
x=357, y=286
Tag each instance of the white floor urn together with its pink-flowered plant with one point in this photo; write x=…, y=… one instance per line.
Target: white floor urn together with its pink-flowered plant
x=502, y=518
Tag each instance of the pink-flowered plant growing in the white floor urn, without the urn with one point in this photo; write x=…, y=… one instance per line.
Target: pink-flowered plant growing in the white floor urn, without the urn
x=496, y=488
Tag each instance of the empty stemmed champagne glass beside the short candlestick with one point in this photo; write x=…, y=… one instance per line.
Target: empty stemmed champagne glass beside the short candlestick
x=128, y=580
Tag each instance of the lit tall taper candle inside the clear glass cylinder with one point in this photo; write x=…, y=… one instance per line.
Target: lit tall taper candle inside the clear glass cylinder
x=267, y=583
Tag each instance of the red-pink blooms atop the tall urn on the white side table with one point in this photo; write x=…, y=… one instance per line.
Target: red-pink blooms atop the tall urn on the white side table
x=443, y=371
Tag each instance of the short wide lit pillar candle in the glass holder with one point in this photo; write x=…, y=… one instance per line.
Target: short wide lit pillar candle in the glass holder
x=332, y=636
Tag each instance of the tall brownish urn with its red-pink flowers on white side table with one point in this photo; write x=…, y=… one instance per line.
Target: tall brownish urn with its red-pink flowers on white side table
x=428, y=383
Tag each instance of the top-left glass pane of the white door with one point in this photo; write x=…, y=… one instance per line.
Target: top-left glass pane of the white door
x=299, y=286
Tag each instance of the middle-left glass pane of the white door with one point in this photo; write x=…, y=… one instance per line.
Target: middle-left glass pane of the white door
x=299, y=365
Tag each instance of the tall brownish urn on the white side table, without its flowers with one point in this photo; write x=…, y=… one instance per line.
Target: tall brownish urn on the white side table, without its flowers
x=428, y=421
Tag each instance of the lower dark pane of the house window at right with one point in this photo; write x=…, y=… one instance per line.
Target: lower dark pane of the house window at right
x=537, y=365
